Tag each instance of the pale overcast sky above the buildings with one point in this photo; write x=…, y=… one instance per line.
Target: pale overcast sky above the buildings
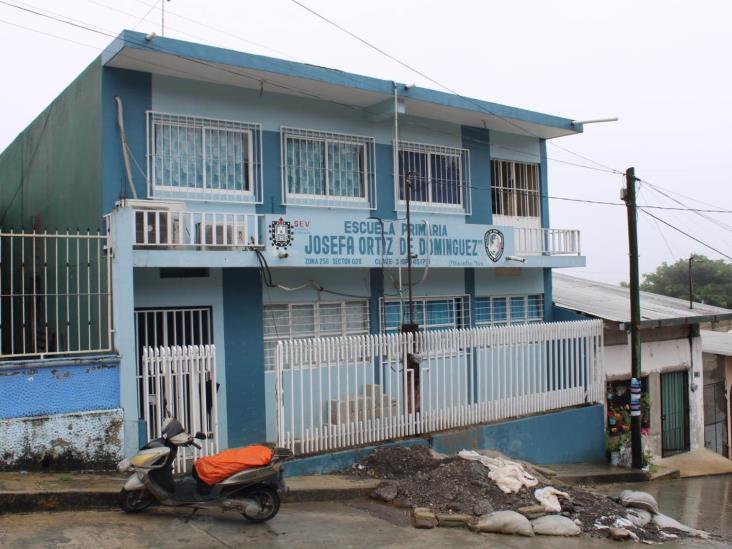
x=663, y=67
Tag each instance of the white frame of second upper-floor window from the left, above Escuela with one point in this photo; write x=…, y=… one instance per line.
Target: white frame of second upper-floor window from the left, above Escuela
x=367, y=148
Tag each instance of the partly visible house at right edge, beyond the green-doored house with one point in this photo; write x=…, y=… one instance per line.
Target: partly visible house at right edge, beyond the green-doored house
x=717, y=348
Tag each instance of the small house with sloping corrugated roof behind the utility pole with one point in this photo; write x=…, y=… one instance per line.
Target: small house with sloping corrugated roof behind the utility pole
x=672, y=367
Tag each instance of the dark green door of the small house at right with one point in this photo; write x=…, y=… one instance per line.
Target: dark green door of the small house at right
x=674, y=412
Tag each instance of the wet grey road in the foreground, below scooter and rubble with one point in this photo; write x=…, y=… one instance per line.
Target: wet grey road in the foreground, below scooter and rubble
x=701, y=503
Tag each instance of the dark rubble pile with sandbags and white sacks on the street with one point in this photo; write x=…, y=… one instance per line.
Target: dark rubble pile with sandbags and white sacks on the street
x=488, y=492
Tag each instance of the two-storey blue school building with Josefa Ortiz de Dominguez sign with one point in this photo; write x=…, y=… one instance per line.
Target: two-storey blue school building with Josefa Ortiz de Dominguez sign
x=258, y=200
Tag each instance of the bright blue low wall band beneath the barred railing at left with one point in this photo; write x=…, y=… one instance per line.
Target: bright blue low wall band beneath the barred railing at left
x=39, y=389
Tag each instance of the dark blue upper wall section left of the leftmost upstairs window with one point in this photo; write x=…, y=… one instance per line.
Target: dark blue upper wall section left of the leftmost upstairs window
x=135, y=90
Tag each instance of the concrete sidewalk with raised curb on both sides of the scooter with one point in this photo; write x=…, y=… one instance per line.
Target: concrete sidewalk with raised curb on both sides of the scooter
x=27, y=492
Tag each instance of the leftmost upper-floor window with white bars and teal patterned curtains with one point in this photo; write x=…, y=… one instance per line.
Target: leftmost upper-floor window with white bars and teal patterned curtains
x=202, y=158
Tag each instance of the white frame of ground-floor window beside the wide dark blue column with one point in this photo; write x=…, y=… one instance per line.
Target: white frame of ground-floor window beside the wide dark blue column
x=317, y=332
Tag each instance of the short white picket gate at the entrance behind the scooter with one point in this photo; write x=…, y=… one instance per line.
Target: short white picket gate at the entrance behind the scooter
x=181, y=382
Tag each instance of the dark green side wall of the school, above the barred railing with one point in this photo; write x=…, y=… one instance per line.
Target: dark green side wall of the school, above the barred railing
x=50, y=175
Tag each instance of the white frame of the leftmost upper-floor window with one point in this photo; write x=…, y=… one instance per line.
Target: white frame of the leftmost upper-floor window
x=252, y=132
